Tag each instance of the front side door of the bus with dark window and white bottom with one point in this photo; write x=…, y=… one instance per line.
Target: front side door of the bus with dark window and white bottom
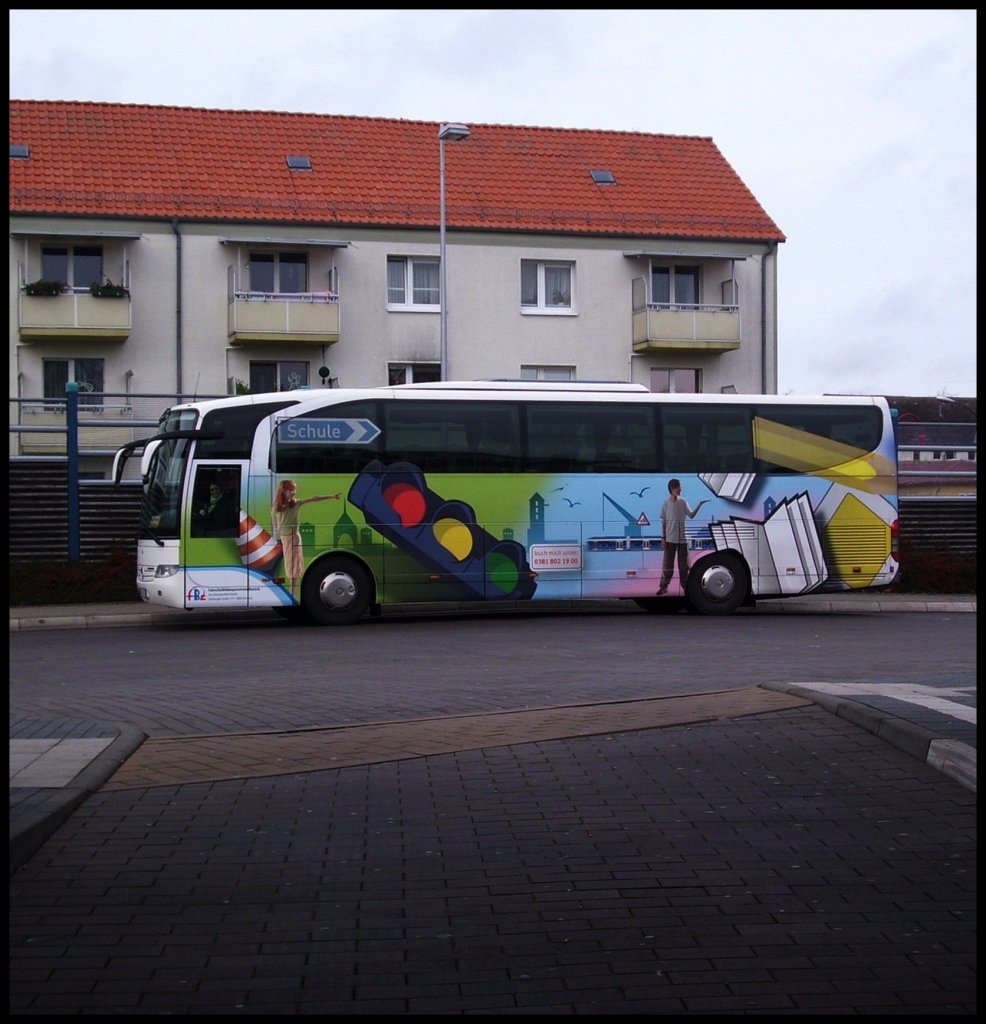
x=216, y=575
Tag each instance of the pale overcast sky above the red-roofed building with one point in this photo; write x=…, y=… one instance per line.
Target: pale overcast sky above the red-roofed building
x=855, y=131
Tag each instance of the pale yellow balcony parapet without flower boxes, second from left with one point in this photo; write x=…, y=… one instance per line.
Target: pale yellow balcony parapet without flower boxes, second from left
x=297, y=318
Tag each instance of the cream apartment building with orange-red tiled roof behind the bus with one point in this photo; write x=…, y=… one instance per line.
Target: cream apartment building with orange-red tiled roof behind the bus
x=160, y=250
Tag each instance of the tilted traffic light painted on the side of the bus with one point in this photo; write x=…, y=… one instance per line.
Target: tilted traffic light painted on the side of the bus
x=442, y=535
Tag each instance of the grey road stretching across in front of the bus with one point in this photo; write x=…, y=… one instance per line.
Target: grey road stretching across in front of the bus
x=209, y=677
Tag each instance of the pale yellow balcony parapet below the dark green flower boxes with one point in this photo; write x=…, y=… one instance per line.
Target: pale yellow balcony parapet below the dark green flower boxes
x=73, y=315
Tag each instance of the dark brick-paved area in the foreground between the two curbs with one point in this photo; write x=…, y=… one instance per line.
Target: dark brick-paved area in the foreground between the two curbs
x=788, y=863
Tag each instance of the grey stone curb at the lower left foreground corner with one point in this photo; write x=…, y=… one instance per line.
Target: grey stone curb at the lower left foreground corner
x=31, y=830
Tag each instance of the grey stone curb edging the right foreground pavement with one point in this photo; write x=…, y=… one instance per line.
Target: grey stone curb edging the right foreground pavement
x=953, y=758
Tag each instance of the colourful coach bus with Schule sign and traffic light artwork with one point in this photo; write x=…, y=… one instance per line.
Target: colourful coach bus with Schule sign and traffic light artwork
x=342, y=502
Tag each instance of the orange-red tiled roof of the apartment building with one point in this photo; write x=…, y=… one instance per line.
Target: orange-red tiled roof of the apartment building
x=123, y=160
